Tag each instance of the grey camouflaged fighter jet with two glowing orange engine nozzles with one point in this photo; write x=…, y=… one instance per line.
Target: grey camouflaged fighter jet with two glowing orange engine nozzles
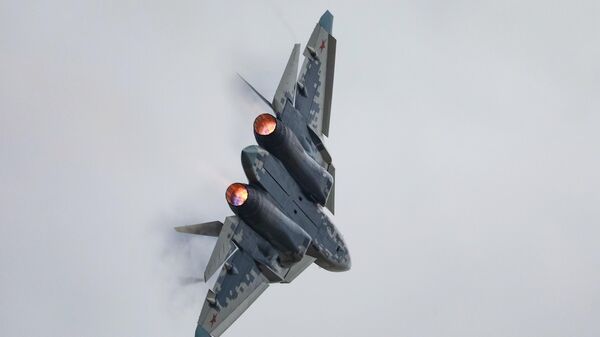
x=280, y=226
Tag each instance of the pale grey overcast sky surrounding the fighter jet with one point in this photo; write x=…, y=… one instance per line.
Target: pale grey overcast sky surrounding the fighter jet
x=464, y=133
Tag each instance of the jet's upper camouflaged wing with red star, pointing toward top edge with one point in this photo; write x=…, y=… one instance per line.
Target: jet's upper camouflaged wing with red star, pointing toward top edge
x=315, y=82
